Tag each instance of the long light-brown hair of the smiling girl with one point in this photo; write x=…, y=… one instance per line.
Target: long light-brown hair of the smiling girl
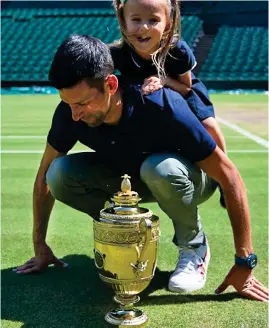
x=169, y=38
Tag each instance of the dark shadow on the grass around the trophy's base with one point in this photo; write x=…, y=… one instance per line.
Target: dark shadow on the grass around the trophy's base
x=75, y=296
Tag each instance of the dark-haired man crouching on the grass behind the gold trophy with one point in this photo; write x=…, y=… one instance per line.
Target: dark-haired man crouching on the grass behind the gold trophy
x=154, y=138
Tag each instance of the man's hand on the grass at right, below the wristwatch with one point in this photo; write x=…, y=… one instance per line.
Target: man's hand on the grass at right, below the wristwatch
x=245, y=283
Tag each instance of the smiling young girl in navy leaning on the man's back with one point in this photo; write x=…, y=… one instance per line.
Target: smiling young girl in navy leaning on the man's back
x=150, y=49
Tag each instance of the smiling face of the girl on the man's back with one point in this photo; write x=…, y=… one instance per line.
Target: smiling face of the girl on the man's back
x=145, y=21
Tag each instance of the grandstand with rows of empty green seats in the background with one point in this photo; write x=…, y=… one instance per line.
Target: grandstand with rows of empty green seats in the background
x=229, y=39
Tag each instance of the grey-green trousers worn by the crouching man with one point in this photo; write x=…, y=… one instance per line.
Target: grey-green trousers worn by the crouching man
x=84, y=183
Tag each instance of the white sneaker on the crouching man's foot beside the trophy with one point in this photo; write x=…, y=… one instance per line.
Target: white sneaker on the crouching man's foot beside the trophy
x=191, y=269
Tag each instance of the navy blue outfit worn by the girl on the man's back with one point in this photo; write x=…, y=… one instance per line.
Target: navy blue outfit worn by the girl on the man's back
x=179, y=61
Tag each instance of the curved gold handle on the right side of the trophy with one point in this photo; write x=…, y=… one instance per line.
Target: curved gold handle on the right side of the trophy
x=141, y=264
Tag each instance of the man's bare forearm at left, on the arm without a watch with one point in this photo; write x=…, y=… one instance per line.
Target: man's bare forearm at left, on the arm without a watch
x=42, y=206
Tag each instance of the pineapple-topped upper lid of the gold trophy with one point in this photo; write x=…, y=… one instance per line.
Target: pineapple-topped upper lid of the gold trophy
x=126, y=197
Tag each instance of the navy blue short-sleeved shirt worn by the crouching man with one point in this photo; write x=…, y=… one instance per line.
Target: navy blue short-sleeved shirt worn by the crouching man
x=158, y=122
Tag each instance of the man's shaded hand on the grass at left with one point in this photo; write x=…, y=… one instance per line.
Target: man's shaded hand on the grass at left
x=40, y=262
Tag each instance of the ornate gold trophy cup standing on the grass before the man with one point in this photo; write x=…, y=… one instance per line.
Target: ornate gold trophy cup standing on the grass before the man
x=126, y=241
